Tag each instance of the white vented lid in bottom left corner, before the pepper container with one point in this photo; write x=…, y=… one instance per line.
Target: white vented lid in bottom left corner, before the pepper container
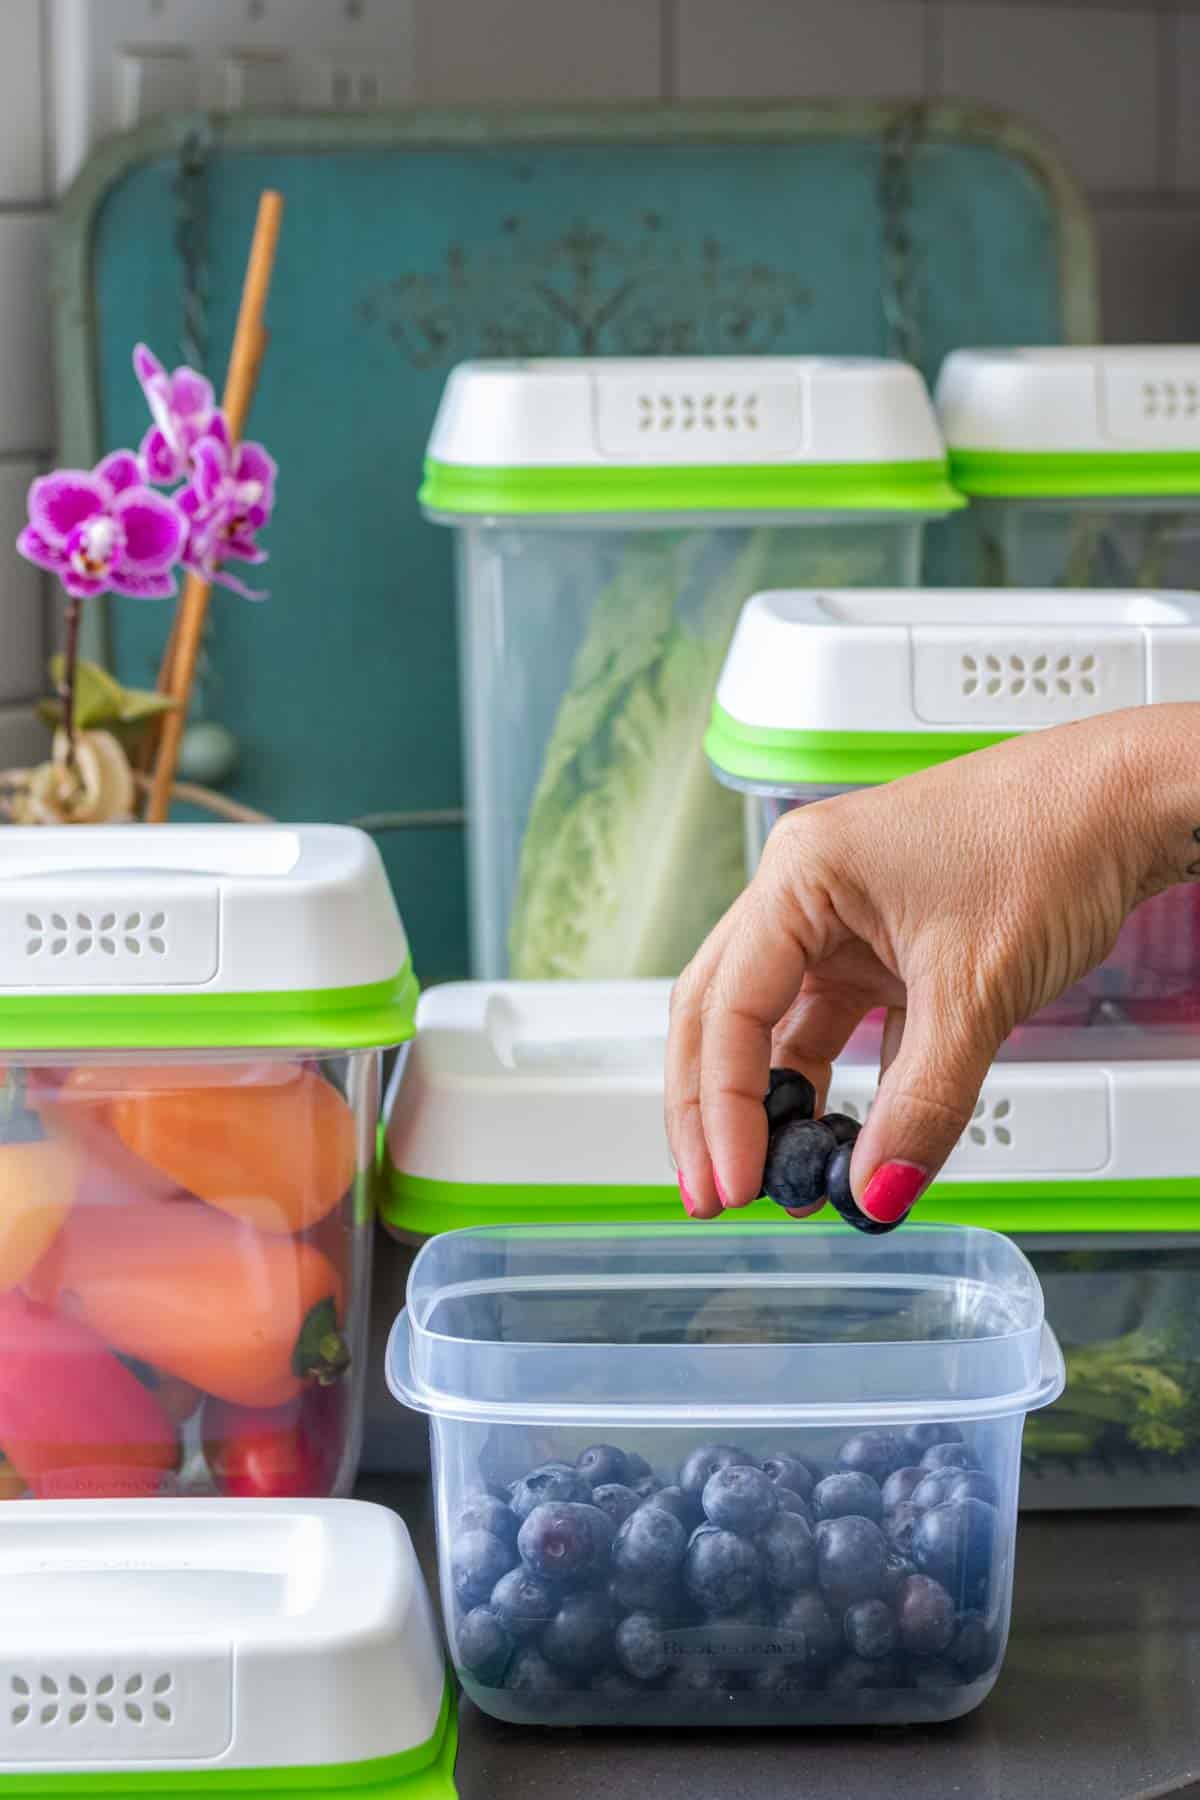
x=220, y=1635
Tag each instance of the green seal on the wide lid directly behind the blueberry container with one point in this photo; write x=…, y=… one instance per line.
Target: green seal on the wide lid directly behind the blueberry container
x=420, y=1209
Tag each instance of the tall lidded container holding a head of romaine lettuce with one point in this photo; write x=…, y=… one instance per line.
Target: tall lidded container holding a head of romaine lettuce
x=611, y=517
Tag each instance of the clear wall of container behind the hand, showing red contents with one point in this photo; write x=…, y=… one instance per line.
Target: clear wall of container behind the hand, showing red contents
x=1151, y=980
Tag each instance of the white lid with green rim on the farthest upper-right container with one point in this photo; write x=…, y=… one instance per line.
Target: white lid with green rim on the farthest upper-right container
x=1073, y=422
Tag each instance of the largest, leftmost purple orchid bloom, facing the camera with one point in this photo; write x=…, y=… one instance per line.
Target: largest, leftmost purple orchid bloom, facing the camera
x=103, y=530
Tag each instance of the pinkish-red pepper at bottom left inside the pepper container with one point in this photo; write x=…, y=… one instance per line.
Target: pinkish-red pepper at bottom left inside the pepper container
x=75, y=1421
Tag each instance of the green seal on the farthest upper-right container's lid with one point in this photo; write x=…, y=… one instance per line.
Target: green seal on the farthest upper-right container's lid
x=1075, y=474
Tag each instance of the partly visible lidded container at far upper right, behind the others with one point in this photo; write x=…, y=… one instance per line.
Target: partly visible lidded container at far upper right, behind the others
x=1082, y=463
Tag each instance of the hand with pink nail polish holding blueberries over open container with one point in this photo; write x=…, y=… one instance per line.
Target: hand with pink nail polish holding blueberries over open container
x=962, y=901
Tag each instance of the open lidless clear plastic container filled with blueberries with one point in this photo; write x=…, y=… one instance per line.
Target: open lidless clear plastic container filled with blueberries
x=665, y=1459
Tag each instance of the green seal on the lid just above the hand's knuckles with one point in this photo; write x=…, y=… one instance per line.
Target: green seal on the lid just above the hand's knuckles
x=830, y=759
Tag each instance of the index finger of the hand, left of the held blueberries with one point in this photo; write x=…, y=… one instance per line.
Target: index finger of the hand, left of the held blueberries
x=751, y=989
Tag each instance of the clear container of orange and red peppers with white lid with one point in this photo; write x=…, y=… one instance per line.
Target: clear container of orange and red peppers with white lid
x=192, y=1023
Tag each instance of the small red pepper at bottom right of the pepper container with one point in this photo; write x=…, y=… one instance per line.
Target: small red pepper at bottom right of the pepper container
x=276, y=1453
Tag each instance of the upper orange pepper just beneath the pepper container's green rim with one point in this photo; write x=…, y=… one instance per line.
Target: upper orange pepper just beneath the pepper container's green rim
x=271, y=1144
